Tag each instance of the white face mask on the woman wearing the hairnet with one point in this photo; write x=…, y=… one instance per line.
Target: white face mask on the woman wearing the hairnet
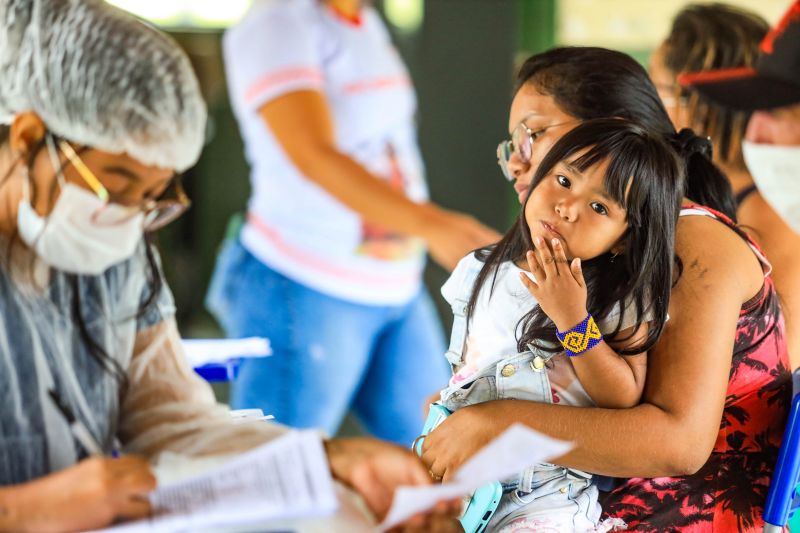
x=70, y=241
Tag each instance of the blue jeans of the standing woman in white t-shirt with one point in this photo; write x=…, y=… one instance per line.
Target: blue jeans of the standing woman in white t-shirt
x=329, y=355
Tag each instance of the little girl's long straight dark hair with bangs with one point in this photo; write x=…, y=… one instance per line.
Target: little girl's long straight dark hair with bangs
x=645, y=177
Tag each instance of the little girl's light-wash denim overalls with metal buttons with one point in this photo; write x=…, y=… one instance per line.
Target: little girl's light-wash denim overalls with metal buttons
x=541, y=490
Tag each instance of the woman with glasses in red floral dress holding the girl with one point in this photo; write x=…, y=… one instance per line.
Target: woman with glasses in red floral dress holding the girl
x=698, y=451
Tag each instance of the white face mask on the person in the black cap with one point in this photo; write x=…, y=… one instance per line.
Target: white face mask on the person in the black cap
x=776, y=171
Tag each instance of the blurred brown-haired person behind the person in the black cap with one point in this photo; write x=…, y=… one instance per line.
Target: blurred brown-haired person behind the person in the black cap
x=707, y=37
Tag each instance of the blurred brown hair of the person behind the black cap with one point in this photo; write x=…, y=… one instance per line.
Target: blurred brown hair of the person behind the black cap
x=709, y=37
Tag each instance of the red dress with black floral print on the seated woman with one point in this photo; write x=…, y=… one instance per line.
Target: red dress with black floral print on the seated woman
x=729, y=491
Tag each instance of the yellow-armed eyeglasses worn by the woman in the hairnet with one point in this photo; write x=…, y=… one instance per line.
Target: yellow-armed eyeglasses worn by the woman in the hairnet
x=158, y=212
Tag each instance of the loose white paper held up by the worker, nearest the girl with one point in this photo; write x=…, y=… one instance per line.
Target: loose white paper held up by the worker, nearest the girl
x=509, y=454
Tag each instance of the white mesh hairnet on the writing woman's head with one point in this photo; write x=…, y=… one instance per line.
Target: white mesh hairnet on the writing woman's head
x=100, y=77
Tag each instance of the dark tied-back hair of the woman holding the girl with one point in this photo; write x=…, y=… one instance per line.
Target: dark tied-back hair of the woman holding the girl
x=590, y=83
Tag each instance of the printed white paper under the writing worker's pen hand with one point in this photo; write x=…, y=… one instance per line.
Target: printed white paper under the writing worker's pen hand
x=288, y=477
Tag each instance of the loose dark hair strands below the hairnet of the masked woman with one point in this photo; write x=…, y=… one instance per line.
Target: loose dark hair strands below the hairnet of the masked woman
x=154, y=282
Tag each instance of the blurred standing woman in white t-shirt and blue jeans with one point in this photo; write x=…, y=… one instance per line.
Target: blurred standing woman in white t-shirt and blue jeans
x=328, y=264
